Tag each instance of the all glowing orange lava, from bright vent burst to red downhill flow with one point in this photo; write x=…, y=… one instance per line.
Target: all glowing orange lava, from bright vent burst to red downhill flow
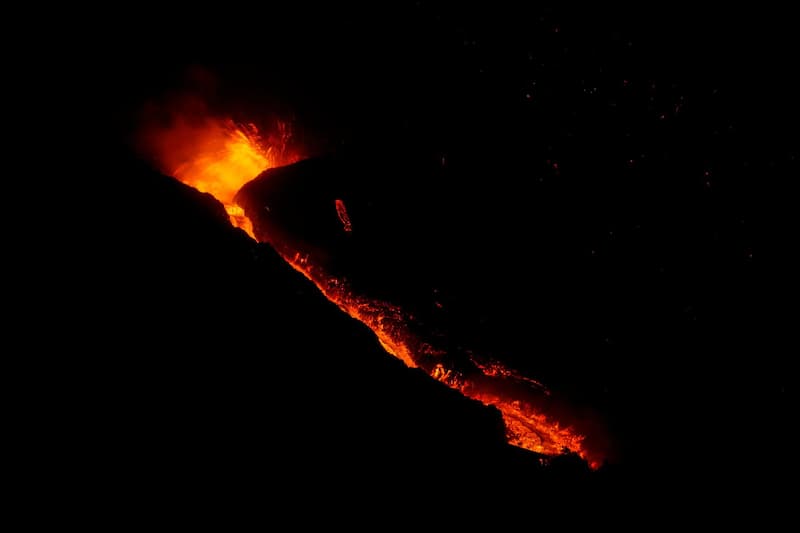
x=219, y=157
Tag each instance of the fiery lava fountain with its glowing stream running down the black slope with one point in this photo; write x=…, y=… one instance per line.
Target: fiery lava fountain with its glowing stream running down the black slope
x=224, y=158
